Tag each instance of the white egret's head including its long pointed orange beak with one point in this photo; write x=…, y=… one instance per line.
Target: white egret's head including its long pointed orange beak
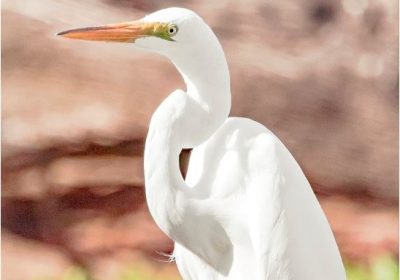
x=164, y=31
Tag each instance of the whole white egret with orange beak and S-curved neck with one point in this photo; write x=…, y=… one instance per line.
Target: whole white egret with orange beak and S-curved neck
x=245, y=209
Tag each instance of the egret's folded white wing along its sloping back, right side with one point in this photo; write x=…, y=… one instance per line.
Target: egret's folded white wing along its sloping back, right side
x=288, y=228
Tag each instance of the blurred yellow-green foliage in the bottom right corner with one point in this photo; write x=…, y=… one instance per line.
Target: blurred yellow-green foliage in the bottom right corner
x=382, y=268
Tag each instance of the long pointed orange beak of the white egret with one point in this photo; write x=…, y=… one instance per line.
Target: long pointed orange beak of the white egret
x=119, y=32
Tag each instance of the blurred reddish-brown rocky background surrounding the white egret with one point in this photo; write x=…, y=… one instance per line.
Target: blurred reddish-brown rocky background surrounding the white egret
x=321, y=74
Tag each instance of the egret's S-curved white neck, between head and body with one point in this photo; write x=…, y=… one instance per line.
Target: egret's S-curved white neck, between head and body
x=183, y=120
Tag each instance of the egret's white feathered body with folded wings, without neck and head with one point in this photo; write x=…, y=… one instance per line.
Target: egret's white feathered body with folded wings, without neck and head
x=252, y=212
